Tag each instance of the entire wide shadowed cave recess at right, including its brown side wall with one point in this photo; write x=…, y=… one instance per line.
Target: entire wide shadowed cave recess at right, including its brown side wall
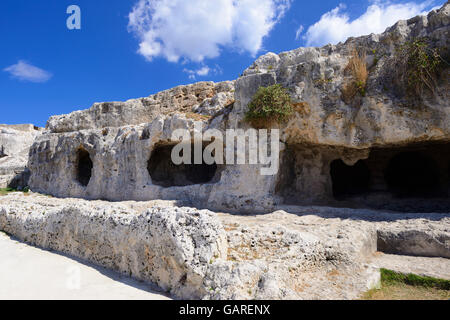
x=411, y=178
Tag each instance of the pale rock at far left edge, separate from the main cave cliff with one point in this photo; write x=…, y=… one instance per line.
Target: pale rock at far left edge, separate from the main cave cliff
x=15, y=143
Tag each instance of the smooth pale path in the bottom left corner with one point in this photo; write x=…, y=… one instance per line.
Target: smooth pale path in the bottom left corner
x=30, y=273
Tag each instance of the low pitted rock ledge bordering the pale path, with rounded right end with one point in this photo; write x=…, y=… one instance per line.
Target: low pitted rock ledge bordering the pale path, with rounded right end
x=170, y=247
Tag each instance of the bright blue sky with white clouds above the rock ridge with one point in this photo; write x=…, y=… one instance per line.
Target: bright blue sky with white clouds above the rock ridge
x=47, y=69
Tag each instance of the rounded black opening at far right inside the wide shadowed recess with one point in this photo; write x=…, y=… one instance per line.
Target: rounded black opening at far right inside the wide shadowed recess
x=413, y=175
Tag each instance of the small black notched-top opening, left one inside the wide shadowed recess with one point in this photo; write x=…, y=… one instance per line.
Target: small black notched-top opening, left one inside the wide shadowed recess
x=349, y=180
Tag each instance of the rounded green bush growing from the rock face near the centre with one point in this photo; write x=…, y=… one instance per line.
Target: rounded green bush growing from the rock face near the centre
x=269, y=105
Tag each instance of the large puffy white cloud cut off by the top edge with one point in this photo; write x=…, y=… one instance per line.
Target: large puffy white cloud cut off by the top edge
x=197, y=29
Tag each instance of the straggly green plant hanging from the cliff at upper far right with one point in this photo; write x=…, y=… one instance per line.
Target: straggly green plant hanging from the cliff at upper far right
x=418, y=66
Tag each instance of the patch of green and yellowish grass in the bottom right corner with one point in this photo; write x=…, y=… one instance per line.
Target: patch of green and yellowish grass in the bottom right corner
x=396, y=286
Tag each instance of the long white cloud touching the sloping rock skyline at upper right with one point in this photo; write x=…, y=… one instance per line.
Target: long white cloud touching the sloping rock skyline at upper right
x=335, y=25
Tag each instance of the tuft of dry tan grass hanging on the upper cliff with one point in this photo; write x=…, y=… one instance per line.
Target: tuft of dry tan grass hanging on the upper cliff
x=357, y=69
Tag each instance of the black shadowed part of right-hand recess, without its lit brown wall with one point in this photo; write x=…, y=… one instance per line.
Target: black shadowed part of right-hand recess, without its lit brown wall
x=414, y=178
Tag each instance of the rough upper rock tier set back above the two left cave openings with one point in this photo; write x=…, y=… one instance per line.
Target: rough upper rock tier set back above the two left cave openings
x=202, y=96
